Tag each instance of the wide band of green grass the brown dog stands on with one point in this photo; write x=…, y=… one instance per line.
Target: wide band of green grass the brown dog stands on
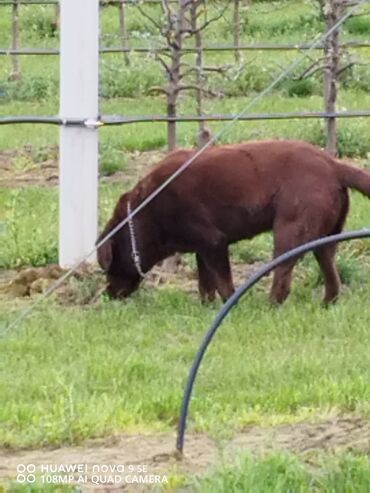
x=69, y=374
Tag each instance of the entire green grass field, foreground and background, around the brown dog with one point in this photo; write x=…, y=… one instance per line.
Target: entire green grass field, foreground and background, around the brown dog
x=76, y=372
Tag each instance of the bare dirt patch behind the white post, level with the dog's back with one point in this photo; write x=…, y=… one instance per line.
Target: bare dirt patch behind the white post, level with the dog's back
x=30, y=167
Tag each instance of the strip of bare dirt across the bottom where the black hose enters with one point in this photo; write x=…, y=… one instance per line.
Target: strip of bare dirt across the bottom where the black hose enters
x=157, y=452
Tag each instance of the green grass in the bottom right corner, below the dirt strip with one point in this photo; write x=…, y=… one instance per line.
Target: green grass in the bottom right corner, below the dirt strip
x=280, y=473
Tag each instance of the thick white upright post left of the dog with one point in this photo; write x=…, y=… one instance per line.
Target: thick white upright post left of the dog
x=78, y=174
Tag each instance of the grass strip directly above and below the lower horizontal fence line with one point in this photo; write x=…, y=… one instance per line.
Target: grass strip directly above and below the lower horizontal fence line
x=353, y=139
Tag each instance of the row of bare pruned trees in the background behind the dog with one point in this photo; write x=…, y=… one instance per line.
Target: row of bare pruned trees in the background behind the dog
x=184, y=20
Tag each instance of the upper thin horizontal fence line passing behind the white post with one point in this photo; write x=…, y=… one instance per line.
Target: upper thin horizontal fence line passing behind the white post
x=188, y=49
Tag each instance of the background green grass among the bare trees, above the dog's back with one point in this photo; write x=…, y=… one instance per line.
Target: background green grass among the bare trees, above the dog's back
x=126, y=90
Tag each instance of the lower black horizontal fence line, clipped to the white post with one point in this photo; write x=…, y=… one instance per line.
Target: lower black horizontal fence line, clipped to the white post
x=122, y=120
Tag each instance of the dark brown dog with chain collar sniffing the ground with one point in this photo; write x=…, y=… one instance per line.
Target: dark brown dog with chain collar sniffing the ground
x=227, y=194
